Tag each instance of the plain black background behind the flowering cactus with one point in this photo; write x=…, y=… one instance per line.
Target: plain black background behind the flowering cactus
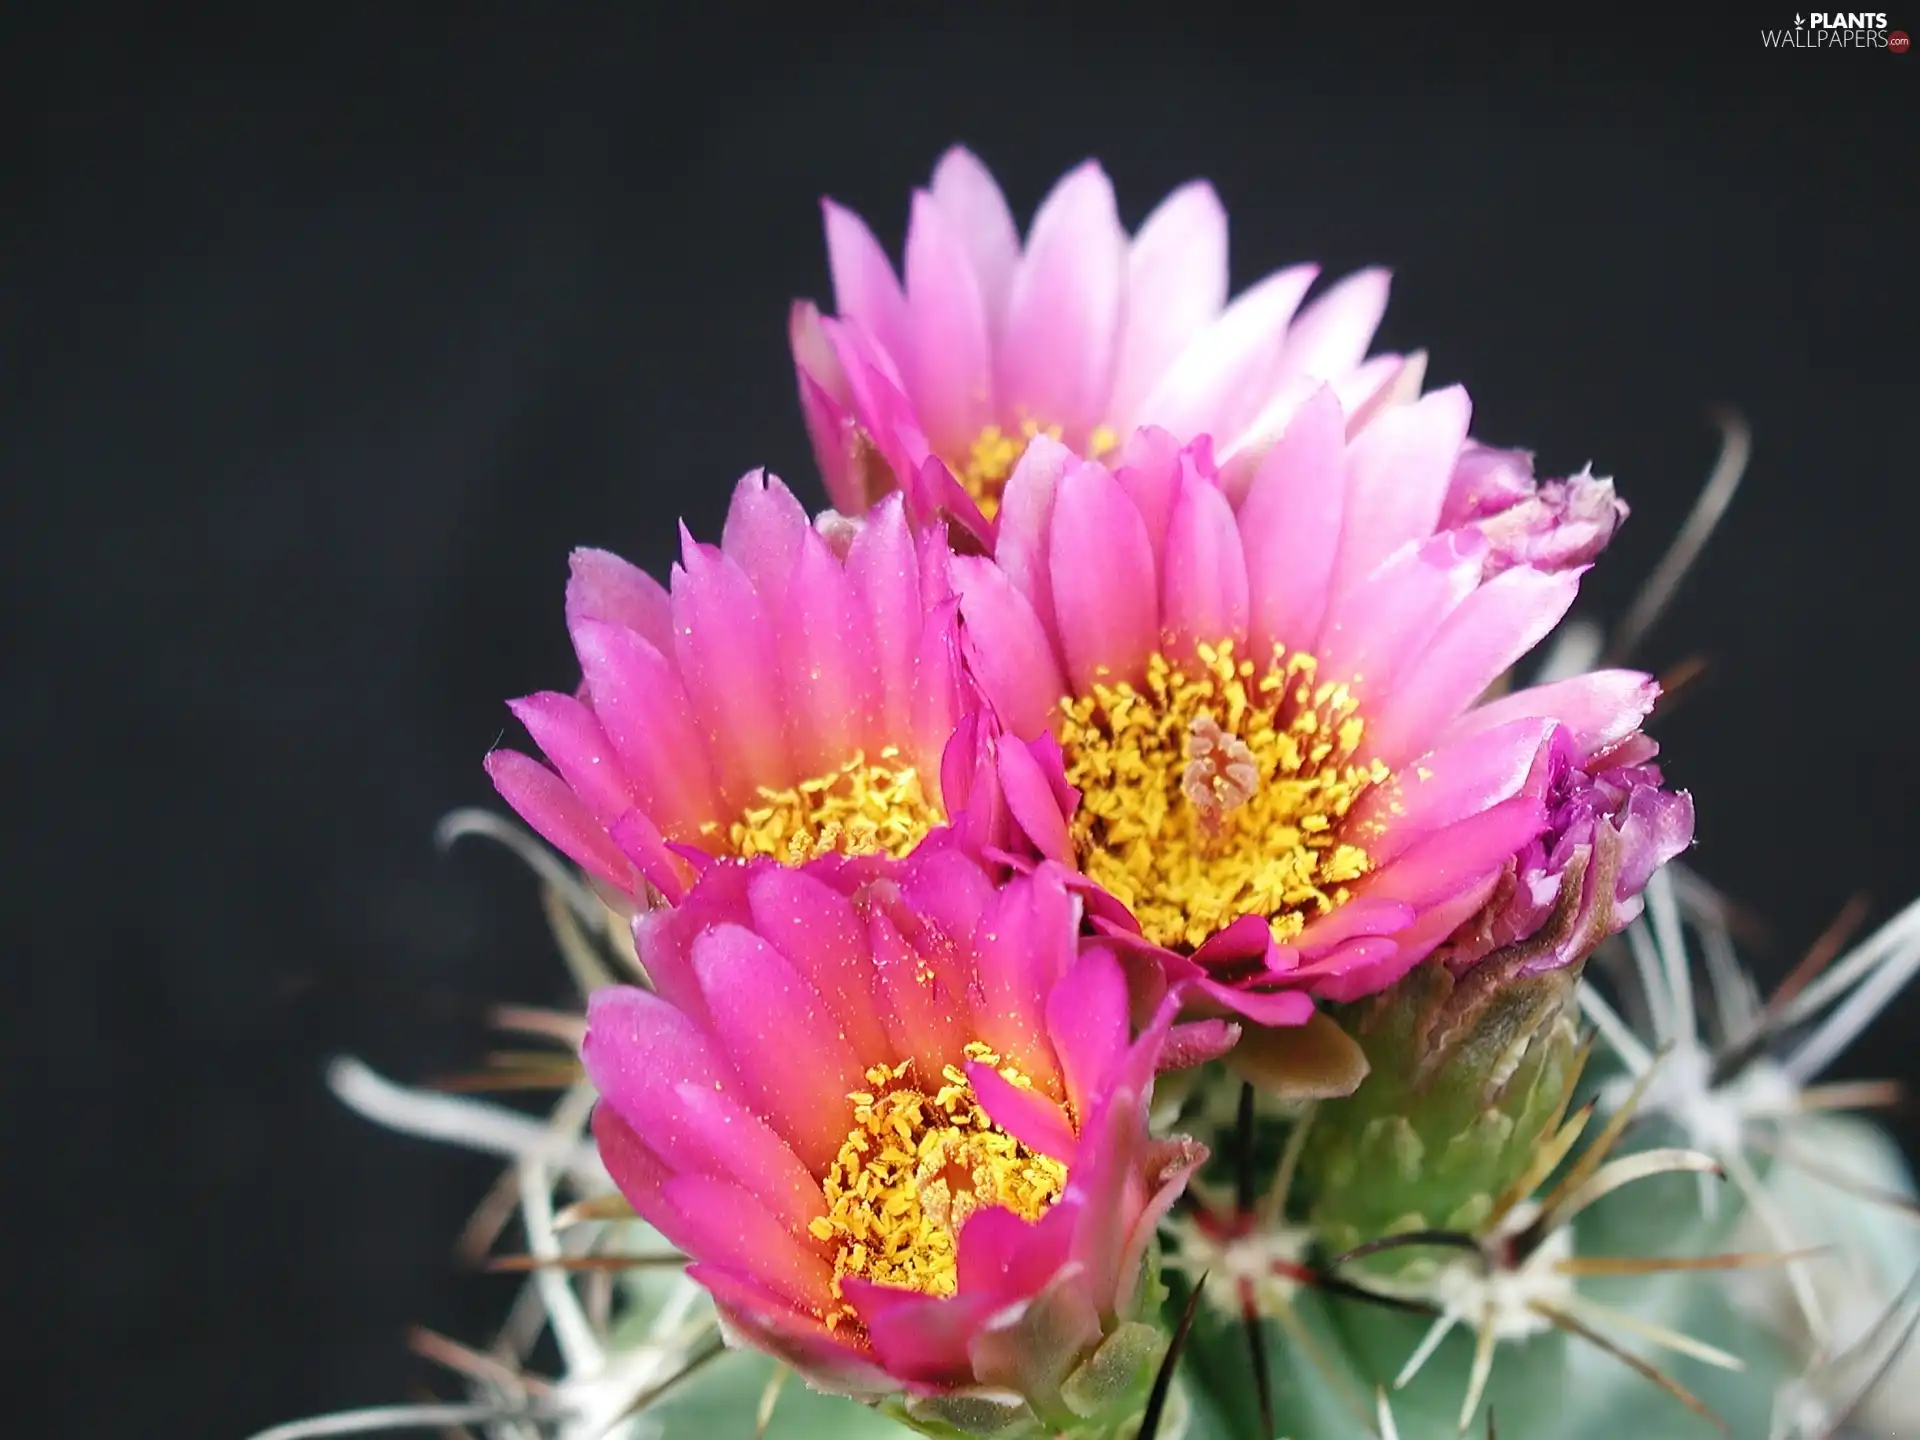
x=325, y=341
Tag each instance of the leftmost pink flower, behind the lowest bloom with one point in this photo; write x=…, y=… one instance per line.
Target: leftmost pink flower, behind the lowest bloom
x=784, y=696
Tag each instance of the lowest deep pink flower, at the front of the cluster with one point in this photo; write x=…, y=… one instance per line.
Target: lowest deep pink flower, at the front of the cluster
x=900, y=1124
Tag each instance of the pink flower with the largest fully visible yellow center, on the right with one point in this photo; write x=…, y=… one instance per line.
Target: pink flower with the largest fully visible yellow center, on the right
x=1268, y=702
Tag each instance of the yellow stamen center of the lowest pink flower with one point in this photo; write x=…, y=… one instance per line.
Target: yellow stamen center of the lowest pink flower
x=915, y=1168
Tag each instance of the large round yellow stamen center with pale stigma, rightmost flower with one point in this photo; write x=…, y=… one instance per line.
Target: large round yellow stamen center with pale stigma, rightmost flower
x=1218, y=794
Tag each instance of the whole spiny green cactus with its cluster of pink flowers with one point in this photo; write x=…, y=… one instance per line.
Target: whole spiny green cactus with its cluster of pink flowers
x=1088, y=938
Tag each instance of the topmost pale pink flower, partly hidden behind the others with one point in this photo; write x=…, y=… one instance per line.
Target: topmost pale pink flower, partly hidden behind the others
x=940, y=381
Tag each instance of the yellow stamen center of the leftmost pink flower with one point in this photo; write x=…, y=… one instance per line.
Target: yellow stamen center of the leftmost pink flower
x=861, y=809
